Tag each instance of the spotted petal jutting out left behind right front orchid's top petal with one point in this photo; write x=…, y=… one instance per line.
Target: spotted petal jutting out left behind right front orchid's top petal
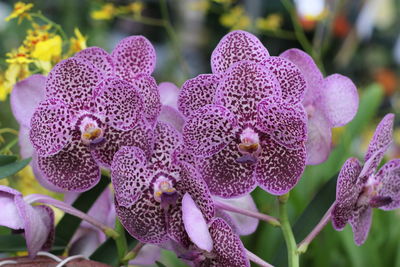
x=197, y=92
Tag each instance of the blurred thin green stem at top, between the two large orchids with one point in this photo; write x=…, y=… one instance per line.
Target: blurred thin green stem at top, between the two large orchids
x=173, y=37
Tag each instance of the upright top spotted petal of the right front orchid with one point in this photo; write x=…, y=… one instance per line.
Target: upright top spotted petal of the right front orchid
x=244, y=85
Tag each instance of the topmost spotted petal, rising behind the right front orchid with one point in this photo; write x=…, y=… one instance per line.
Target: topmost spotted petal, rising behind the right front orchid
x=234, y=47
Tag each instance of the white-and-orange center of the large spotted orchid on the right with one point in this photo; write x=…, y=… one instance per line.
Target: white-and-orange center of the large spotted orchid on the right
x=249, y=146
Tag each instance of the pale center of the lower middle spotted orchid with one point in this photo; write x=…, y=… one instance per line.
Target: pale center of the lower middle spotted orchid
x=164, y=191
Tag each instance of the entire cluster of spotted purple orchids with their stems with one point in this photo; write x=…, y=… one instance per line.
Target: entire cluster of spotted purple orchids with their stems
x=184, y=162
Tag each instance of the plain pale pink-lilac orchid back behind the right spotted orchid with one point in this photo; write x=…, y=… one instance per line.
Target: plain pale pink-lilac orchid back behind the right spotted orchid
x=330, y=102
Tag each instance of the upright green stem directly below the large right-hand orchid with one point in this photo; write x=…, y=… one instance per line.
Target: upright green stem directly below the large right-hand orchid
x=293, y=256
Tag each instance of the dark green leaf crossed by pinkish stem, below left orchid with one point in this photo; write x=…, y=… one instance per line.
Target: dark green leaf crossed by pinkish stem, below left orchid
x=69, y=224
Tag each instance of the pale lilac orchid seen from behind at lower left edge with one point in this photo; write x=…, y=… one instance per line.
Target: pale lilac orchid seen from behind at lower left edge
x=36, y=222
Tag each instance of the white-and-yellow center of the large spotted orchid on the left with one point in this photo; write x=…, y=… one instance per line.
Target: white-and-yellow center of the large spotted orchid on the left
x=89, y=127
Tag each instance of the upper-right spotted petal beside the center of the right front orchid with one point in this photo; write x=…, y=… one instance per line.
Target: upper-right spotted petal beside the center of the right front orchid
x=284, y=122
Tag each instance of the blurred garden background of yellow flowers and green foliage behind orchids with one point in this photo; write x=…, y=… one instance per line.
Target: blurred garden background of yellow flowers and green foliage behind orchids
x=359, y=39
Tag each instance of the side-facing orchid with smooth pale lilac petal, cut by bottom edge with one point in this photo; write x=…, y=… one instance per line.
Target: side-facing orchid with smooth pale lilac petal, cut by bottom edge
x=214, y=242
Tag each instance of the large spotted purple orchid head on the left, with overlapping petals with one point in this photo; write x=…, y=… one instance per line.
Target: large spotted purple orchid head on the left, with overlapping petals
x=93, y=105
